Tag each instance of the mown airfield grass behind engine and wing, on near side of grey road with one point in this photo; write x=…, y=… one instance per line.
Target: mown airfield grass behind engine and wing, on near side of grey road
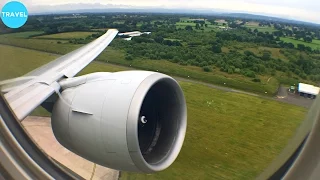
x=234, y=137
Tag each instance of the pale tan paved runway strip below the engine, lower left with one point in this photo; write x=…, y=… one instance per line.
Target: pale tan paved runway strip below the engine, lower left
x=39, y=128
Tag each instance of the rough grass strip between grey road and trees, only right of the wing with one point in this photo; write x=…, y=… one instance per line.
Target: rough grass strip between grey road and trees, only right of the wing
x=215, y=77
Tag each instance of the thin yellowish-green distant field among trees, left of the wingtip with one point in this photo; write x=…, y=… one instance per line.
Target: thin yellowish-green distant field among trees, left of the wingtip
x=66, y=36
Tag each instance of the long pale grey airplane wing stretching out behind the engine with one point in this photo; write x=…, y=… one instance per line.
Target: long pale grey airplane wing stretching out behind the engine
x=41, y=83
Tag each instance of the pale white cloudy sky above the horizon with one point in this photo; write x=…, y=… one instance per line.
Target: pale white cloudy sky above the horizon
x=305, y=10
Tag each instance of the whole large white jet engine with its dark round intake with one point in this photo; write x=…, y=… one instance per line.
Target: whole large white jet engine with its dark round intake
x=131, y=121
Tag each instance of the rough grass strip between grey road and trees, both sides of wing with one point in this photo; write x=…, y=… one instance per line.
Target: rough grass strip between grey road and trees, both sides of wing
x=118, y=57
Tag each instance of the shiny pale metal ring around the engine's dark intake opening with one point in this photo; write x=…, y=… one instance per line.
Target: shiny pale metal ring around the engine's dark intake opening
x=132, y=125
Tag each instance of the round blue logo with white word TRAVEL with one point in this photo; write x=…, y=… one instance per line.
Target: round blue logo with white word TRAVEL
x=14, y=14
